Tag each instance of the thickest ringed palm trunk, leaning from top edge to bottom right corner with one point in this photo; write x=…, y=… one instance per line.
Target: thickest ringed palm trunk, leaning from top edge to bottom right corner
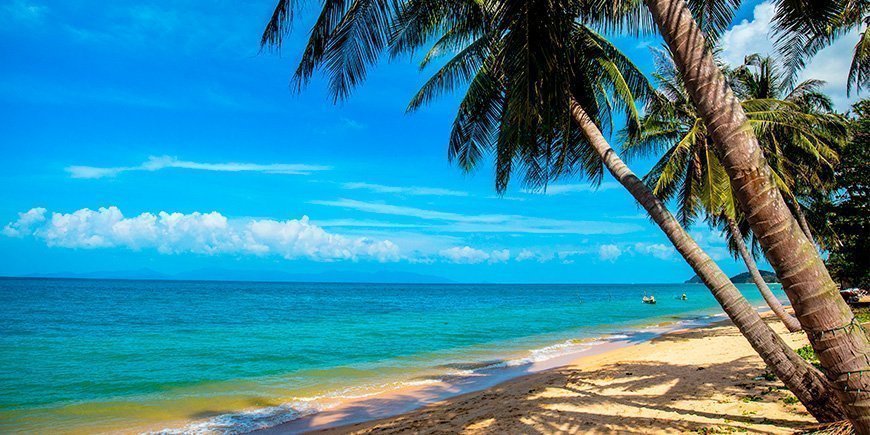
x=842, y=346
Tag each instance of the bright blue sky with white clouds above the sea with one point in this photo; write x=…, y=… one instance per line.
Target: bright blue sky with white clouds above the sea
x=156, y=136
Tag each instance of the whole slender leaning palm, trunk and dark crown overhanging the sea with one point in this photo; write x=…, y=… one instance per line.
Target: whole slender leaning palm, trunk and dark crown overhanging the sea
x=538, y=108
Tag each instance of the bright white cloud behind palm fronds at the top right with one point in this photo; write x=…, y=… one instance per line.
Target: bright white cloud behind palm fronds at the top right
x=755, y=36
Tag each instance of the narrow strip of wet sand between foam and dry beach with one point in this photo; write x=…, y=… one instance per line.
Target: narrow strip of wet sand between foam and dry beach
x=349, y=412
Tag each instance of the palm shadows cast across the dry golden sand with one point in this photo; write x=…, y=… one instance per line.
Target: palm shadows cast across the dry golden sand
x=636, y=397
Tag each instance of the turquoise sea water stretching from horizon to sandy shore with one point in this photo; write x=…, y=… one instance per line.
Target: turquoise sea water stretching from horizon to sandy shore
x=90, y=355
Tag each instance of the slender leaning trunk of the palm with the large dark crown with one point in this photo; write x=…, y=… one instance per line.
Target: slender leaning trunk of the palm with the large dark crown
x=807, y=383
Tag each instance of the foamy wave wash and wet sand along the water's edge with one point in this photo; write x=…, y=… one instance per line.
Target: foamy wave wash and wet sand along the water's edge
x=378, y=401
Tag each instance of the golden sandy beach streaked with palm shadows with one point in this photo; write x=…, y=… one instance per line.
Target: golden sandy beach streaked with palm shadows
x=705, y=380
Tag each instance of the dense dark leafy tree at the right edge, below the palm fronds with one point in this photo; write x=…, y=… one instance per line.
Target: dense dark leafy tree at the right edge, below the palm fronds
x=849, y=211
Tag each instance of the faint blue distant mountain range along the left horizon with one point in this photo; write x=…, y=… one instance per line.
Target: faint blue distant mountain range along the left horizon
x=216, y=274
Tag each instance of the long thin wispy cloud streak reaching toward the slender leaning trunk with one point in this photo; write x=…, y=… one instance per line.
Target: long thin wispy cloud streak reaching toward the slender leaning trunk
x=488, y=223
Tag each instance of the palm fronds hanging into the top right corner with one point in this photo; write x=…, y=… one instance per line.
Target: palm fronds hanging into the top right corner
x=805, y=27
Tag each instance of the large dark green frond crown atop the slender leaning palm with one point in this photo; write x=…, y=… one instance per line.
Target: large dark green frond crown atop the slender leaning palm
x=520, y=63
